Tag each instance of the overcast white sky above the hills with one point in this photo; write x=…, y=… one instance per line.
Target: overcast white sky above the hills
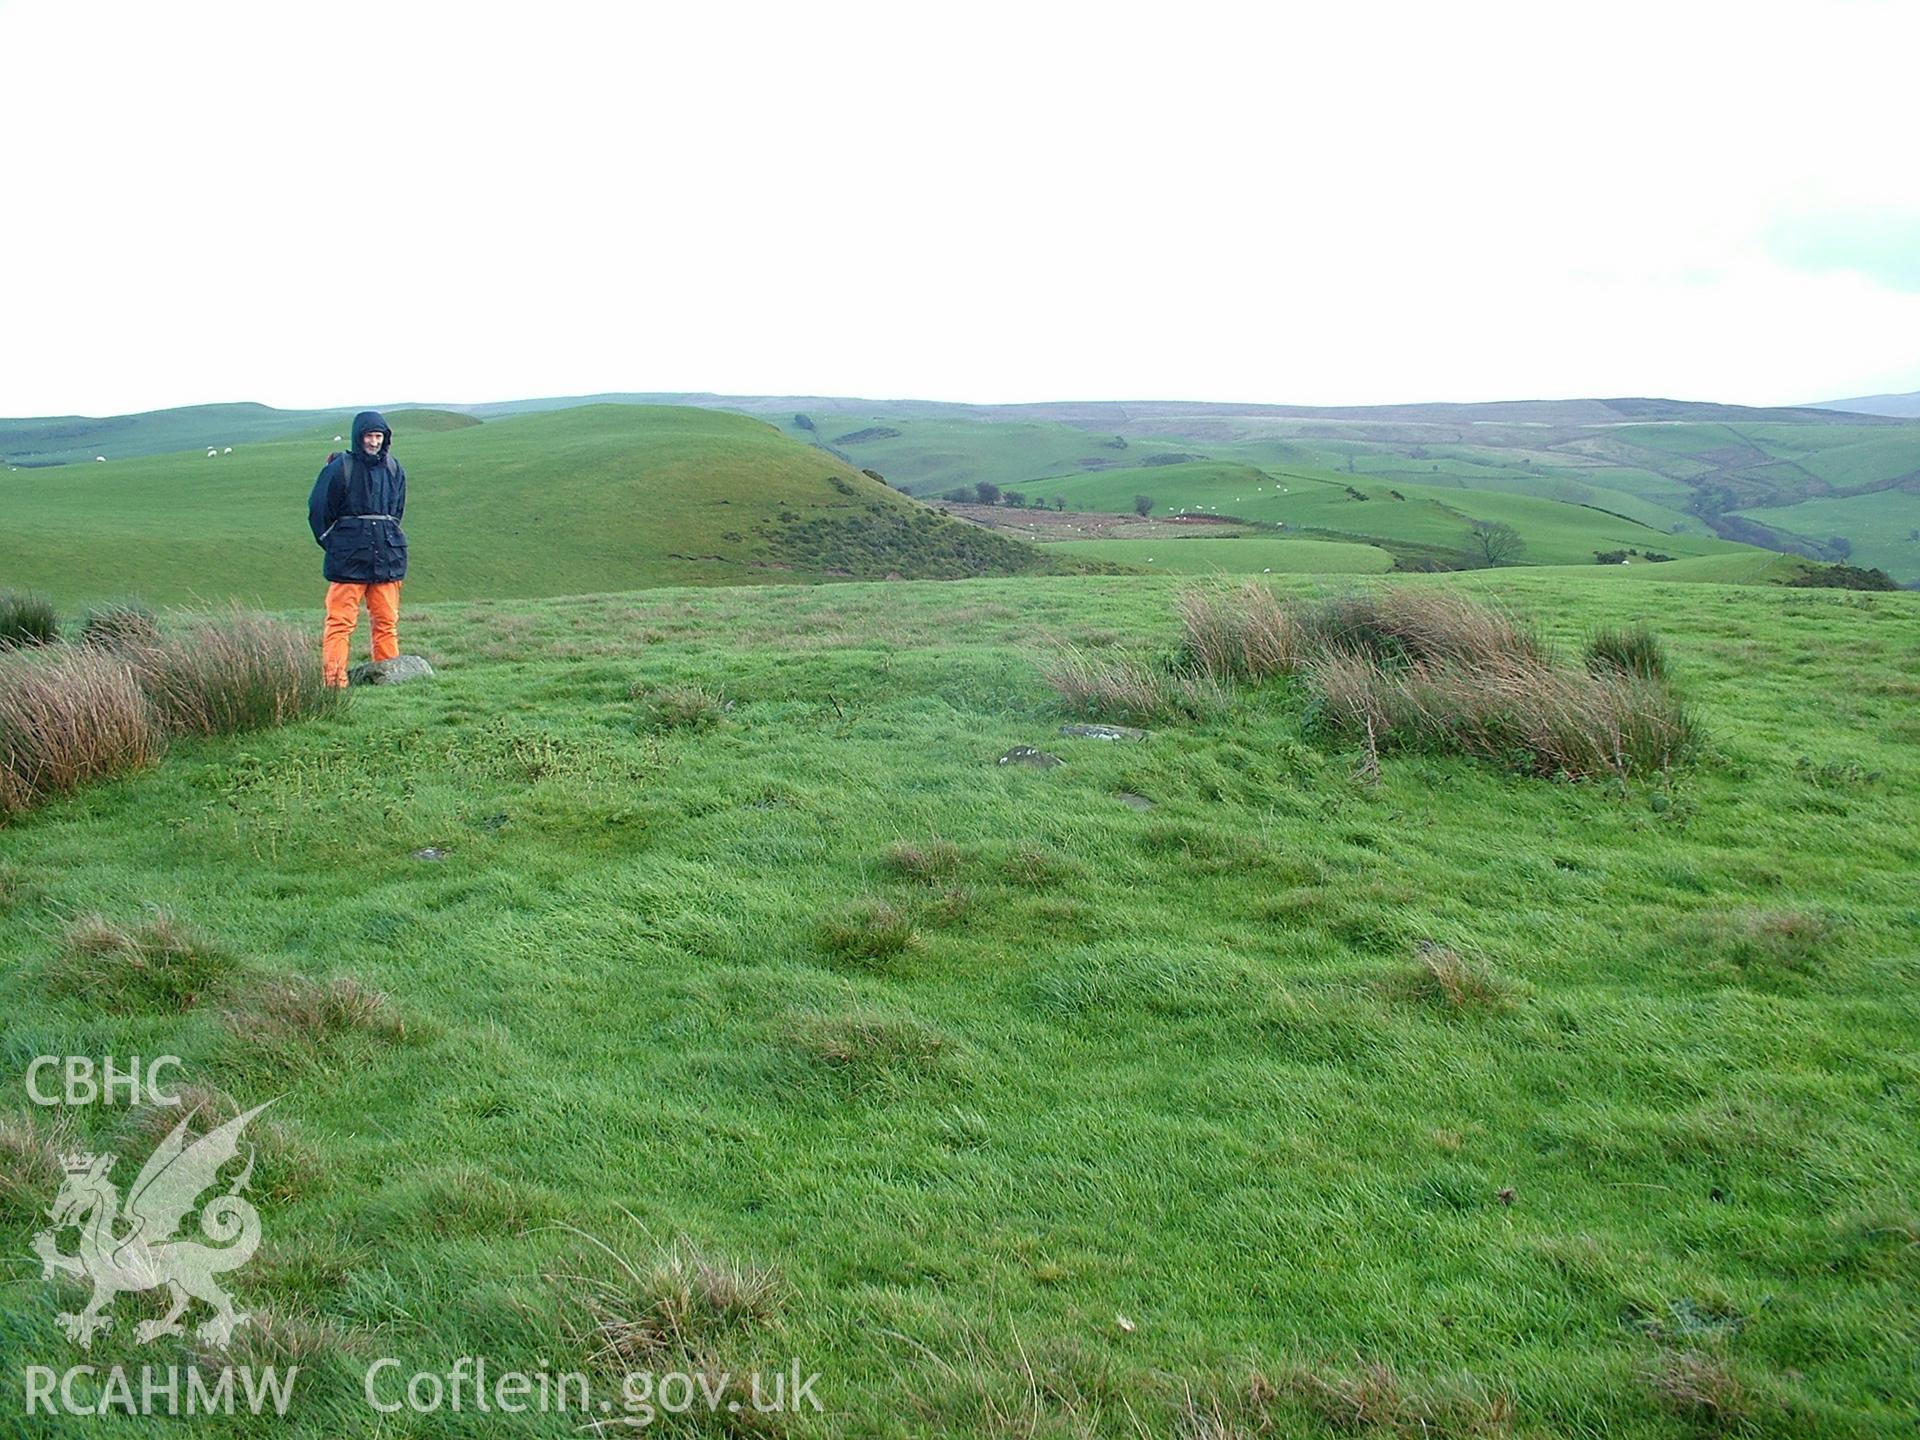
x=994, y=203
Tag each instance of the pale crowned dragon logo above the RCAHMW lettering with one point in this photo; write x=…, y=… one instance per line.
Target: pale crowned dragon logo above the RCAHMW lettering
x=135, y=1247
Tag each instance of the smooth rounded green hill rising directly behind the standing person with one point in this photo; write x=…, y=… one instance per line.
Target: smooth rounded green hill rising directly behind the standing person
x=567, y=502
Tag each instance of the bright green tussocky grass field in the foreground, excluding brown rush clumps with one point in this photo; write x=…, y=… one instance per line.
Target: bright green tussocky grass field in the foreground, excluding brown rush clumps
x=999, y=1101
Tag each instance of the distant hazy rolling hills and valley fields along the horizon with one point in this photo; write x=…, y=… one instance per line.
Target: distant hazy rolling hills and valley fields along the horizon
x=1810, y=481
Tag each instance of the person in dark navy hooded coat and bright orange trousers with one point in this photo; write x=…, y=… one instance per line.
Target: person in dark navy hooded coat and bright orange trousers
x=356, y=510
